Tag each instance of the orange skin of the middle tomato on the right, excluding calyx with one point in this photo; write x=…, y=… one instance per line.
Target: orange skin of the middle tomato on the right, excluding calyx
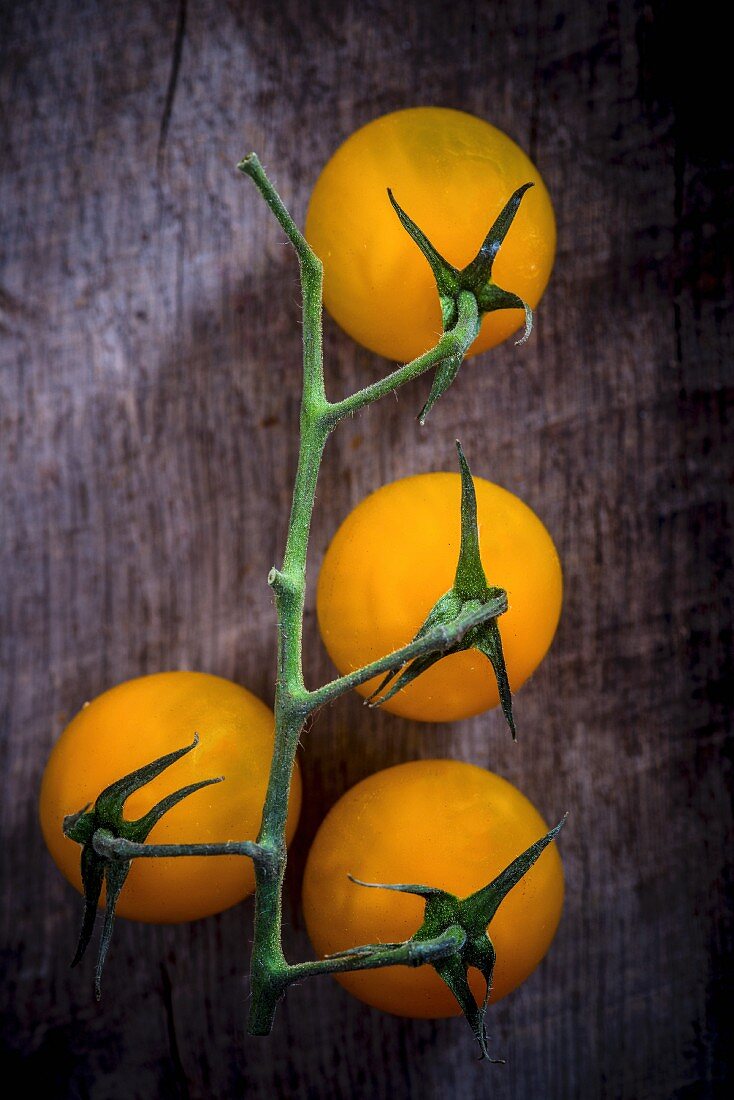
x=396, y=556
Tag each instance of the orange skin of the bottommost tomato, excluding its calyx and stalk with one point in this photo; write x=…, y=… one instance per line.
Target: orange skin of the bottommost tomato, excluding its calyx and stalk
x=441, y=823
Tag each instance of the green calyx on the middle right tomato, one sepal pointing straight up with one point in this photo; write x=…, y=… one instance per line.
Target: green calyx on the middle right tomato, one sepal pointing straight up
x=469, y=593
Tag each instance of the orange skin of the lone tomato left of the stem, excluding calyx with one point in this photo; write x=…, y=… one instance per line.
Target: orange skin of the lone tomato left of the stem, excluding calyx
x=134, y=724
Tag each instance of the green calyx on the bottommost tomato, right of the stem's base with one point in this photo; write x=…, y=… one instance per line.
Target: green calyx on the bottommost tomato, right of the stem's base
x=467, y=920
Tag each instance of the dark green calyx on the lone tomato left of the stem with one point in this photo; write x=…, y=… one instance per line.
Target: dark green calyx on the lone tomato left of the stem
x=97, y=831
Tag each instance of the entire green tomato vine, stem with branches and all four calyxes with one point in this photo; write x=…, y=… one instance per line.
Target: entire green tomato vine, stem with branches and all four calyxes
x=454, y=934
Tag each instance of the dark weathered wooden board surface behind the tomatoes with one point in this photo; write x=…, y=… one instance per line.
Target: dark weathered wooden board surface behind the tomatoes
x=149, y=375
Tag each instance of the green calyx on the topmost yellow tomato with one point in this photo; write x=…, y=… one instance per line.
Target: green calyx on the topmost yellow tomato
x=475, y=279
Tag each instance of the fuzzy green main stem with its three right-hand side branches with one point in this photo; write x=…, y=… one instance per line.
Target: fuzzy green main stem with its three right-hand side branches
x=270, y=974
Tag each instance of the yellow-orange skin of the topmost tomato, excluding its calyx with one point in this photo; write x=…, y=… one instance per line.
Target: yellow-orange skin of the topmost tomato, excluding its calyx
x=452, y=173
